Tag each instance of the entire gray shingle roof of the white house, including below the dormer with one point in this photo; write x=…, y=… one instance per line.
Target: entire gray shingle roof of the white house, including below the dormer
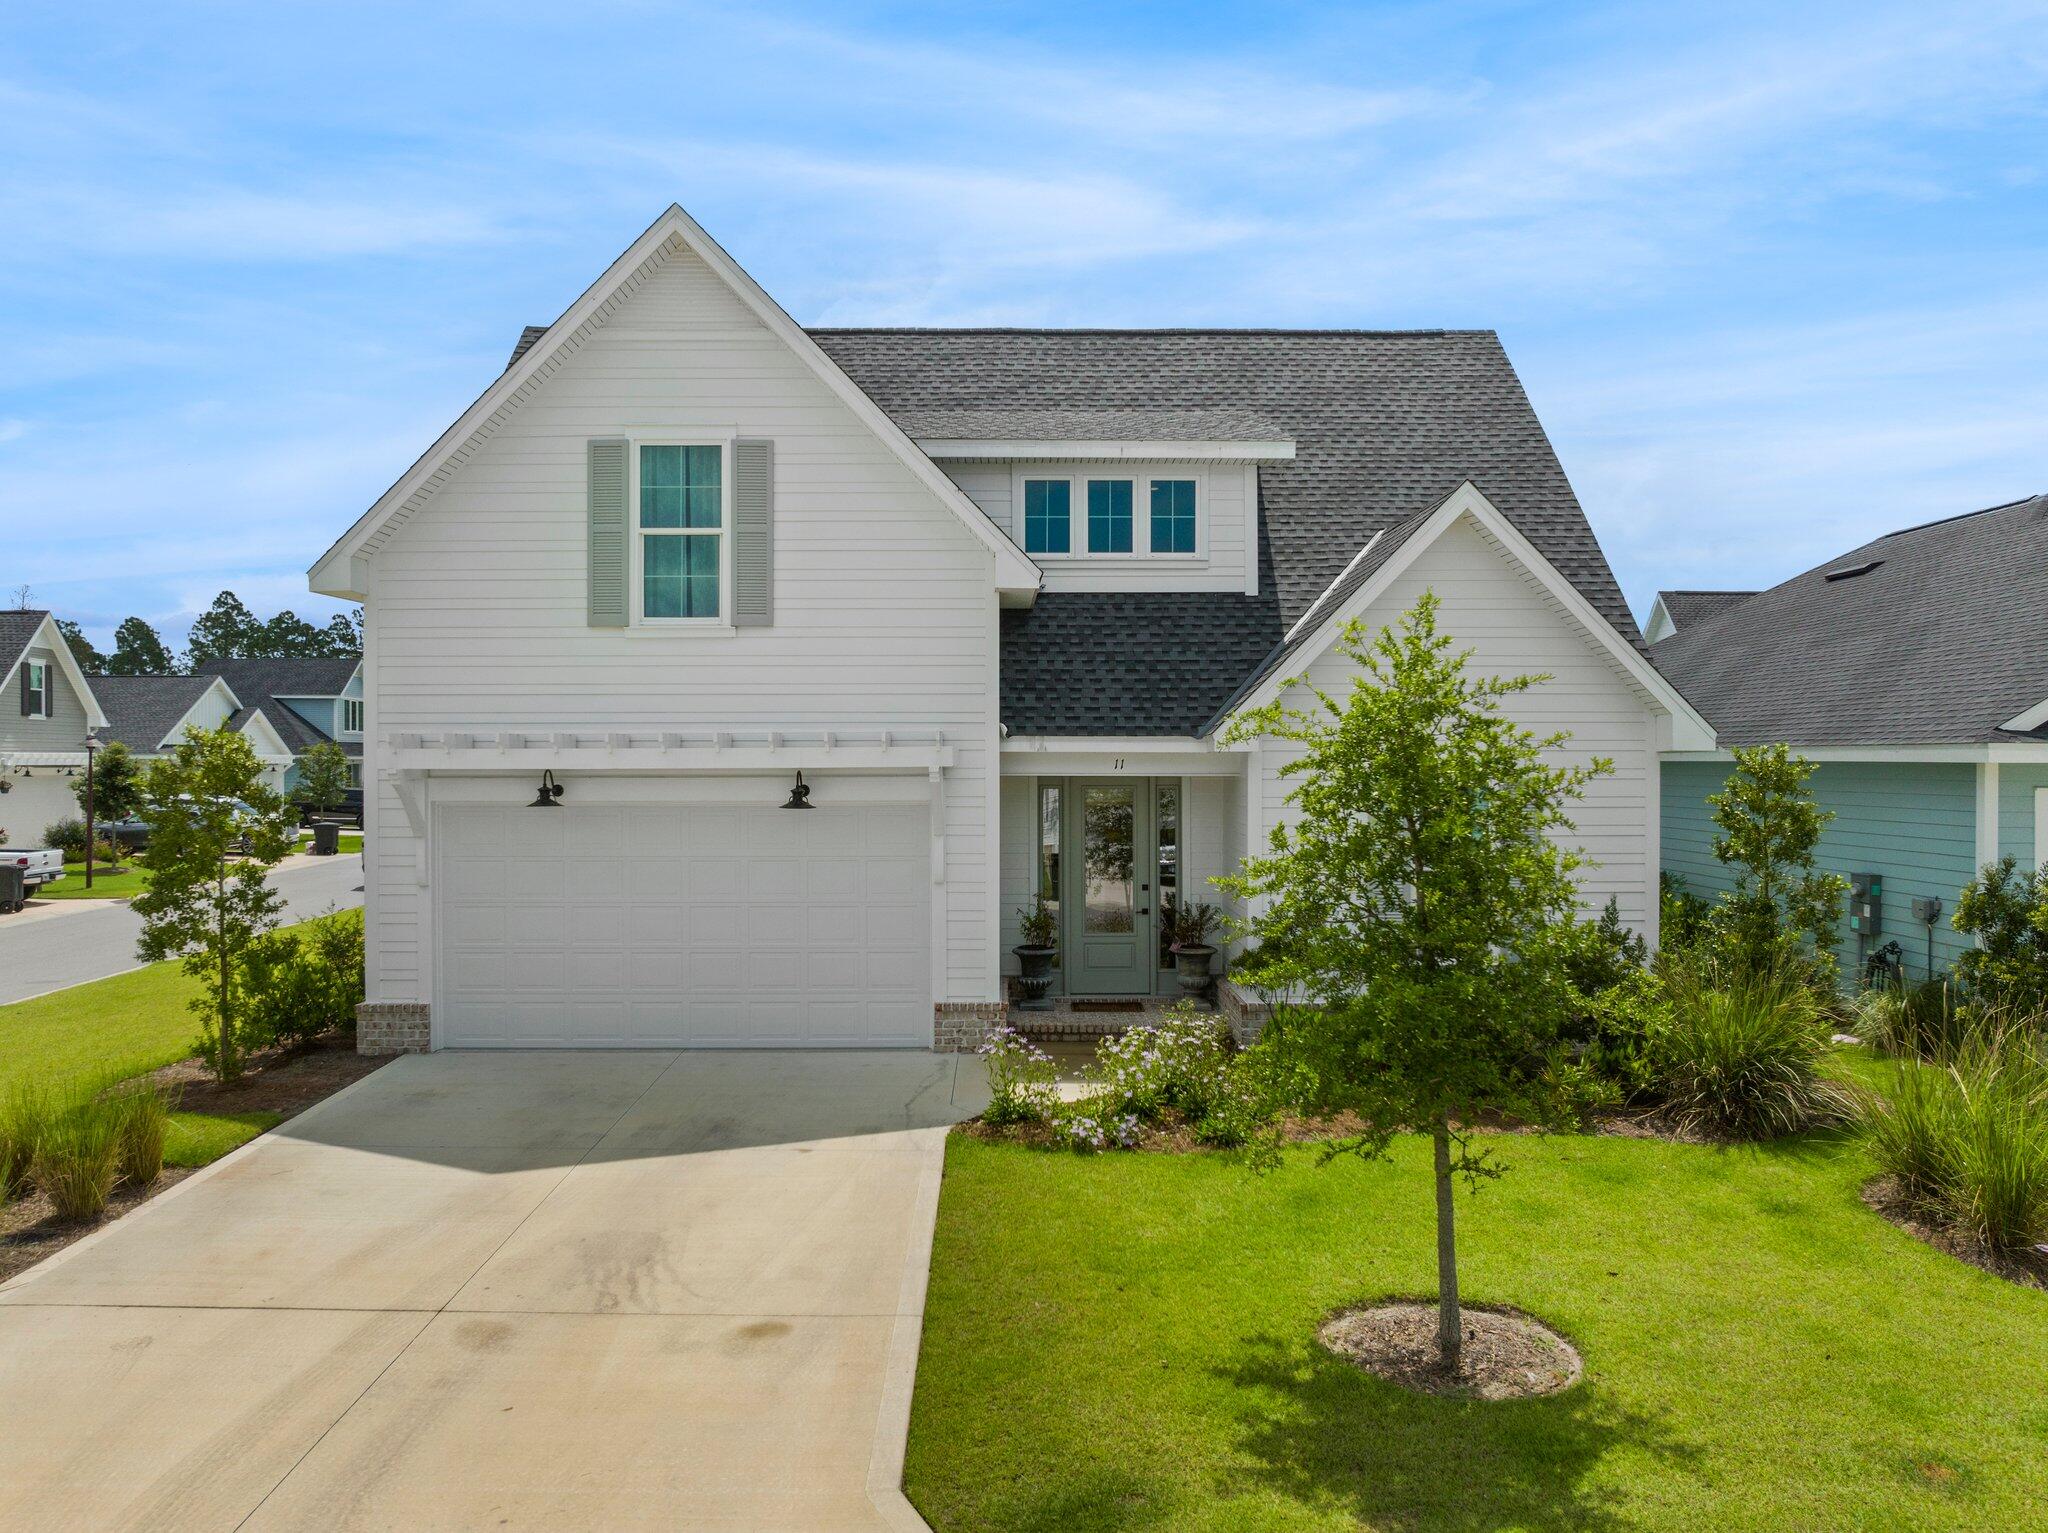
x=1385, y=425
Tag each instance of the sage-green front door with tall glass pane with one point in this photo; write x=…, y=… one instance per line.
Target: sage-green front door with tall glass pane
x=1111, y=887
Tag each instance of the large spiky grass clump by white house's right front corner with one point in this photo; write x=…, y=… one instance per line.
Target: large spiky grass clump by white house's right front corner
x=1742, y=1057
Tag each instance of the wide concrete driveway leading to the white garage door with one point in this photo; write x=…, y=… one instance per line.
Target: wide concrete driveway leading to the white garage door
x=505, y=1290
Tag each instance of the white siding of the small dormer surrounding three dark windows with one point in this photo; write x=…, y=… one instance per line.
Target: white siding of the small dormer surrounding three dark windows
x=1226, y=502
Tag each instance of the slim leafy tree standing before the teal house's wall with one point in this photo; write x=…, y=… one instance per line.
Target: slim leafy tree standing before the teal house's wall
x=1768, y=830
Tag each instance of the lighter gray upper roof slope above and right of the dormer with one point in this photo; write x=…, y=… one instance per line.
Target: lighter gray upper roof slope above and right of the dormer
x=1385, y=425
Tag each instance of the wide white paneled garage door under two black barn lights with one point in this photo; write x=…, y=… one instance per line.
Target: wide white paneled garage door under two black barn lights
x=683, y=928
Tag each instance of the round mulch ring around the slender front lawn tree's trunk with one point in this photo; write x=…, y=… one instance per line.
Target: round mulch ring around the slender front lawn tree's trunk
x=1506, y=1354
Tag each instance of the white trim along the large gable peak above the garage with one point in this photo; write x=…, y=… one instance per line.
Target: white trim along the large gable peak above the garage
x=343, y=570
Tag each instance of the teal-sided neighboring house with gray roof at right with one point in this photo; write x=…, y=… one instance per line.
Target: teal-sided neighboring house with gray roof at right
x=1916, y=672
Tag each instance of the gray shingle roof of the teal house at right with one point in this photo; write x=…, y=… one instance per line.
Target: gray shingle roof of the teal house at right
x=1930, y=636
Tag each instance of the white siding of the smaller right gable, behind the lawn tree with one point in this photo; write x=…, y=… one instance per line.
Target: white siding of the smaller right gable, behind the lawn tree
x=1498, y=611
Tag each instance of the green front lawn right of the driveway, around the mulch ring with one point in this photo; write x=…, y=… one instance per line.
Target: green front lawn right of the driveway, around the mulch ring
x=1127, y=1344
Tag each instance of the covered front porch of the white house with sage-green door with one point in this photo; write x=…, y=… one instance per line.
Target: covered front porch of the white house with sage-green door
x=1115, y=836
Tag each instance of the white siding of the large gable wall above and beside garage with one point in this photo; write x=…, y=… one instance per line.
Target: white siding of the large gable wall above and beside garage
x=886, y=609
